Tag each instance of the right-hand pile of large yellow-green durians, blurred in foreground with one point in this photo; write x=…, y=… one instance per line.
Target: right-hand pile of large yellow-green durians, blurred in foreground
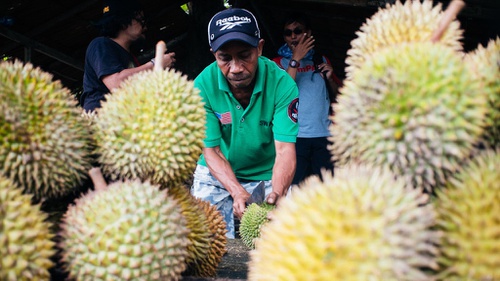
x=415, y=193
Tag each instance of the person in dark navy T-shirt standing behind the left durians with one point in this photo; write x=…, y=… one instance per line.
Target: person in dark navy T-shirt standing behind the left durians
x=108, y=60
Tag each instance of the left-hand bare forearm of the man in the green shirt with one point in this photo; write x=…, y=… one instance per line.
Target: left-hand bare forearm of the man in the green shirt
x=221, y=169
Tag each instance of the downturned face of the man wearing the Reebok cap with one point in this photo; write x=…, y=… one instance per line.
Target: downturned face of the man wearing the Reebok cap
x=238, y=62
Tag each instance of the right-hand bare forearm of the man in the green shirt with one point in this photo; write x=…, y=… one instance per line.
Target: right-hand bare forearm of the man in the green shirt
x=283, y=170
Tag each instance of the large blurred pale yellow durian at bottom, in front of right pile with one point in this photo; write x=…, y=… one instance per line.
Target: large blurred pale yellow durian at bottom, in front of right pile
x=361, y=225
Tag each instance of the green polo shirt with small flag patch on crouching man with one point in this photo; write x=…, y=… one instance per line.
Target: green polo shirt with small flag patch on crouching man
x=246, y=136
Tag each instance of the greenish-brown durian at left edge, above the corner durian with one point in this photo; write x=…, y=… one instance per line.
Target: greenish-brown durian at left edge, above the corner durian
x=44, y=141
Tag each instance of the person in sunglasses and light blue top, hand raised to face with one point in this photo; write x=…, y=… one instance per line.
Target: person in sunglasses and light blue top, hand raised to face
x=314, y=76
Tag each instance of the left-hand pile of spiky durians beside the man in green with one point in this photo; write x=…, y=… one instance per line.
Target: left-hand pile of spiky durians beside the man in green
x=124, y=166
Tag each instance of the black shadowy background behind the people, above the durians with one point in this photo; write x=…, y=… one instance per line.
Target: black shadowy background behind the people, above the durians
x=54, y=34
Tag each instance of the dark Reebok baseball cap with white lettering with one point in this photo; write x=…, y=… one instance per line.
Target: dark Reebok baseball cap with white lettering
x=233, y=25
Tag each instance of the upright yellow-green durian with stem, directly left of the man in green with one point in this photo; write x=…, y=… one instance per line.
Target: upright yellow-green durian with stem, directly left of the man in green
x=151, y=128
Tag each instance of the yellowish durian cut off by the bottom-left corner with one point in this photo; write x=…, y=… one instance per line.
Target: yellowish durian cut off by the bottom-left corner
x=26, y=245
